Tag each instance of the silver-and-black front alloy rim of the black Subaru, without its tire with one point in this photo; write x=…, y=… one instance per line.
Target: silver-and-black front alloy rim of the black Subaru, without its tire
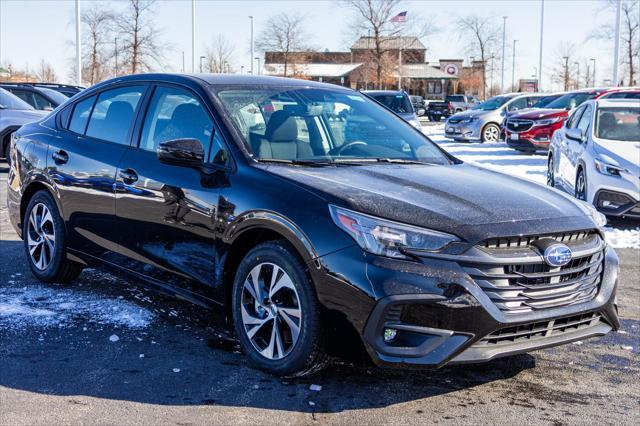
x=271, y=311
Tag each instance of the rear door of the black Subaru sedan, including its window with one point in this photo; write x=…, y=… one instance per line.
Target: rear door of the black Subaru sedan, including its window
x=82, y=161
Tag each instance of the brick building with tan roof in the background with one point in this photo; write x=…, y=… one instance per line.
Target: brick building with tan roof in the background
x=356, y=68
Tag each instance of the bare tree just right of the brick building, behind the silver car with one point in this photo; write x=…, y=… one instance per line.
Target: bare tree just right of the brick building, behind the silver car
x=481, y=34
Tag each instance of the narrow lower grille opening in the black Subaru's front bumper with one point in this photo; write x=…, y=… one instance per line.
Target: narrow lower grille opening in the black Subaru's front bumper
x=539, y=330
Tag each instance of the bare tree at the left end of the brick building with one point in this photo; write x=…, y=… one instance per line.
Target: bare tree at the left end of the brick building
x=284, y=33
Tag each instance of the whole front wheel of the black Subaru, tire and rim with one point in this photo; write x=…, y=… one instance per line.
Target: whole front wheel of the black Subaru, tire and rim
x=278, y=350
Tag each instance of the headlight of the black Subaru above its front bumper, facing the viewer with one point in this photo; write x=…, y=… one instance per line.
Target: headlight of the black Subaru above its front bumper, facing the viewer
x=387, y=238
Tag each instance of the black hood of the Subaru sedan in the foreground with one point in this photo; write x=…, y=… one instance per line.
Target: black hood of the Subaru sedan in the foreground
x=452, y=198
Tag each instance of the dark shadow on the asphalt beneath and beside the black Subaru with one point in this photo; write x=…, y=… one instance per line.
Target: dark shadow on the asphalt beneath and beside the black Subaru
x=56, y=340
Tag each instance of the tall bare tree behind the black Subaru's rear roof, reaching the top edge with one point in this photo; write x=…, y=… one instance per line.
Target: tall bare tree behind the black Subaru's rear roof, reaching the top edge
x=141, y=46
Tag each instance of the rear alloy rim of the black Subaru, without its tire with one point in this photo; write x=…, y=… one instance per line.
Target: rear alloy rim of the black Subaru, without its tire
x=41, y=236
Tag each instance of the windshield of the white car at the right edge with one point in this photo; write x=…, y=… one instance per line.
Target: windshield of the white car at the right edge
x=618, y=123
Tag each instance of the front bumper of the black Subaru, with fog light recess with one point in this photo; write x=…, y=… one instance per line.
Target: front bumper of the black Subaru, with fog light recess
x=442, y=316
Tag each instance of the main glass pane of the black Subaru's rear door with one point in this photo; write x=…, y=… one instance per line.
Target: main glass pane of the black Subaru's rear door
x=113, y=114
